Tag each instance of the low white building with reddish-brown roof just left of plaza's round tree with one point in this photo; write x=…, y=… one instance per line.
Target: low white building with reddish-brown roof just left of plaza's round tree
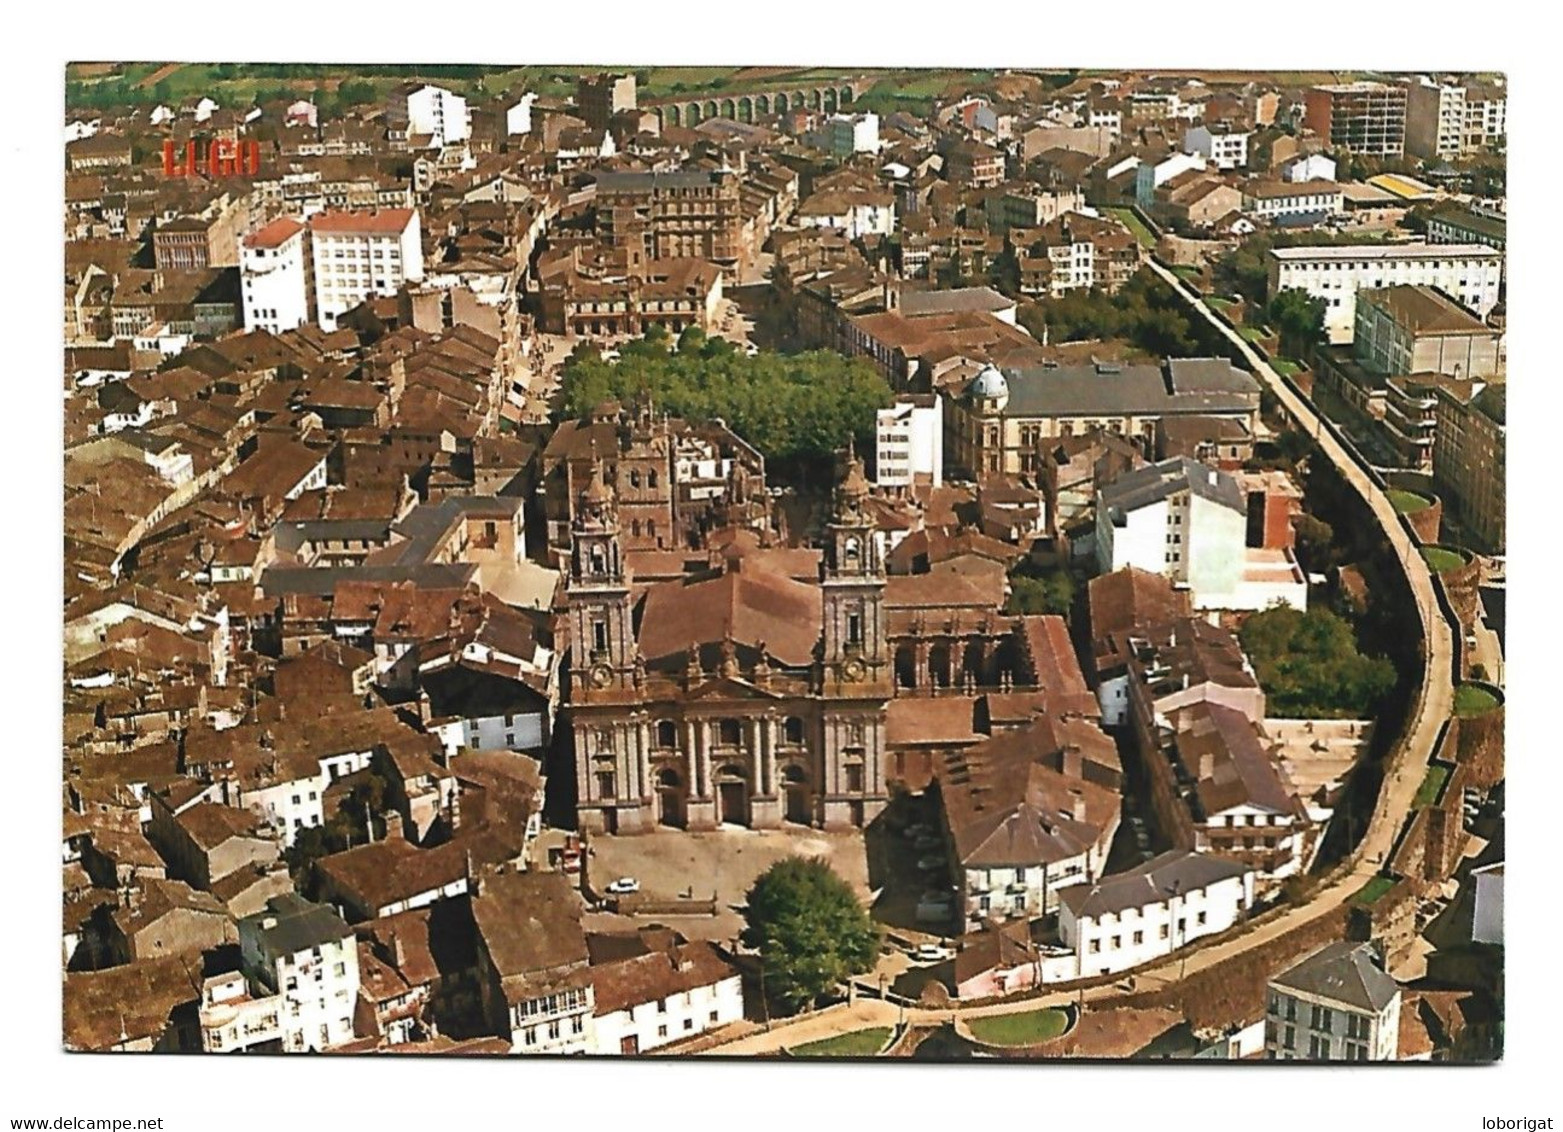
x=663, y=997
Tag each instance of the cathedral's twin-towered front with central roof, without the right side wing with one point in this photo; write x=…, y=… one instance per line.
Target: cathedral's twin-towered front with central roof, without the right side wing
x=732, y=697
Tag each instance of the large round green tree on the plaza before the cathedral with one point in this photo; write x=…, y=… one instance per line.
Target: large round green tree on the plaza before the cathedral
x=810, y=930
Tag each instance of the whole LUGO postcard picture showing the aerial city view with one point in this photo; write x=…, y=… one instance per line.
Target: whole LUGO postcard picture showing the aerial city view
x=784, y=562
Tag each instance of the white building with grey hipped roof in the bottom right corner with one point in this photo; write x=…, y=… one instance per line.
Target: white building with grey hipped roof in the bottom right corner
x=1334, y=1006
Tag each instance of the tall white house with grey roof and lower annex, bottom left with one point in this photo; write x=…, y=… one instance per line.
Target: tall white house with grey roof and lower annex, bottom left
x=299, y=986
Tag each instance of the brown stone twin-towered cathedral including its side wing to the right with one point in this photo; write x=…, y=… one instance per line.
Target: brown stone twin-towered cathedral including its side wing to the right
x=754, y=687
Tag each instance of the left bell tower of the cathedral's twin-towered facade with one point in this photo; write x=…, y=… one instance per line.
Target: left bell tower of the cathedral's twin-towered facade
x=603, y=640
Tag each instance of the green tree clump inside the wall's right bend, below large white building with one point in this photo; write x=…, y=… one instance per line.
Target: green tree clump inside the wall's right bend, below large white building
x=1311, y=668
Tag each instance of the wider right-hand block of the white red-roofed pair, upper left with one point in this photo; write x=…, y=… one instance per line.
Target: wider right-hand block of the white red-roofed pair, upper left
x=357, y=256
